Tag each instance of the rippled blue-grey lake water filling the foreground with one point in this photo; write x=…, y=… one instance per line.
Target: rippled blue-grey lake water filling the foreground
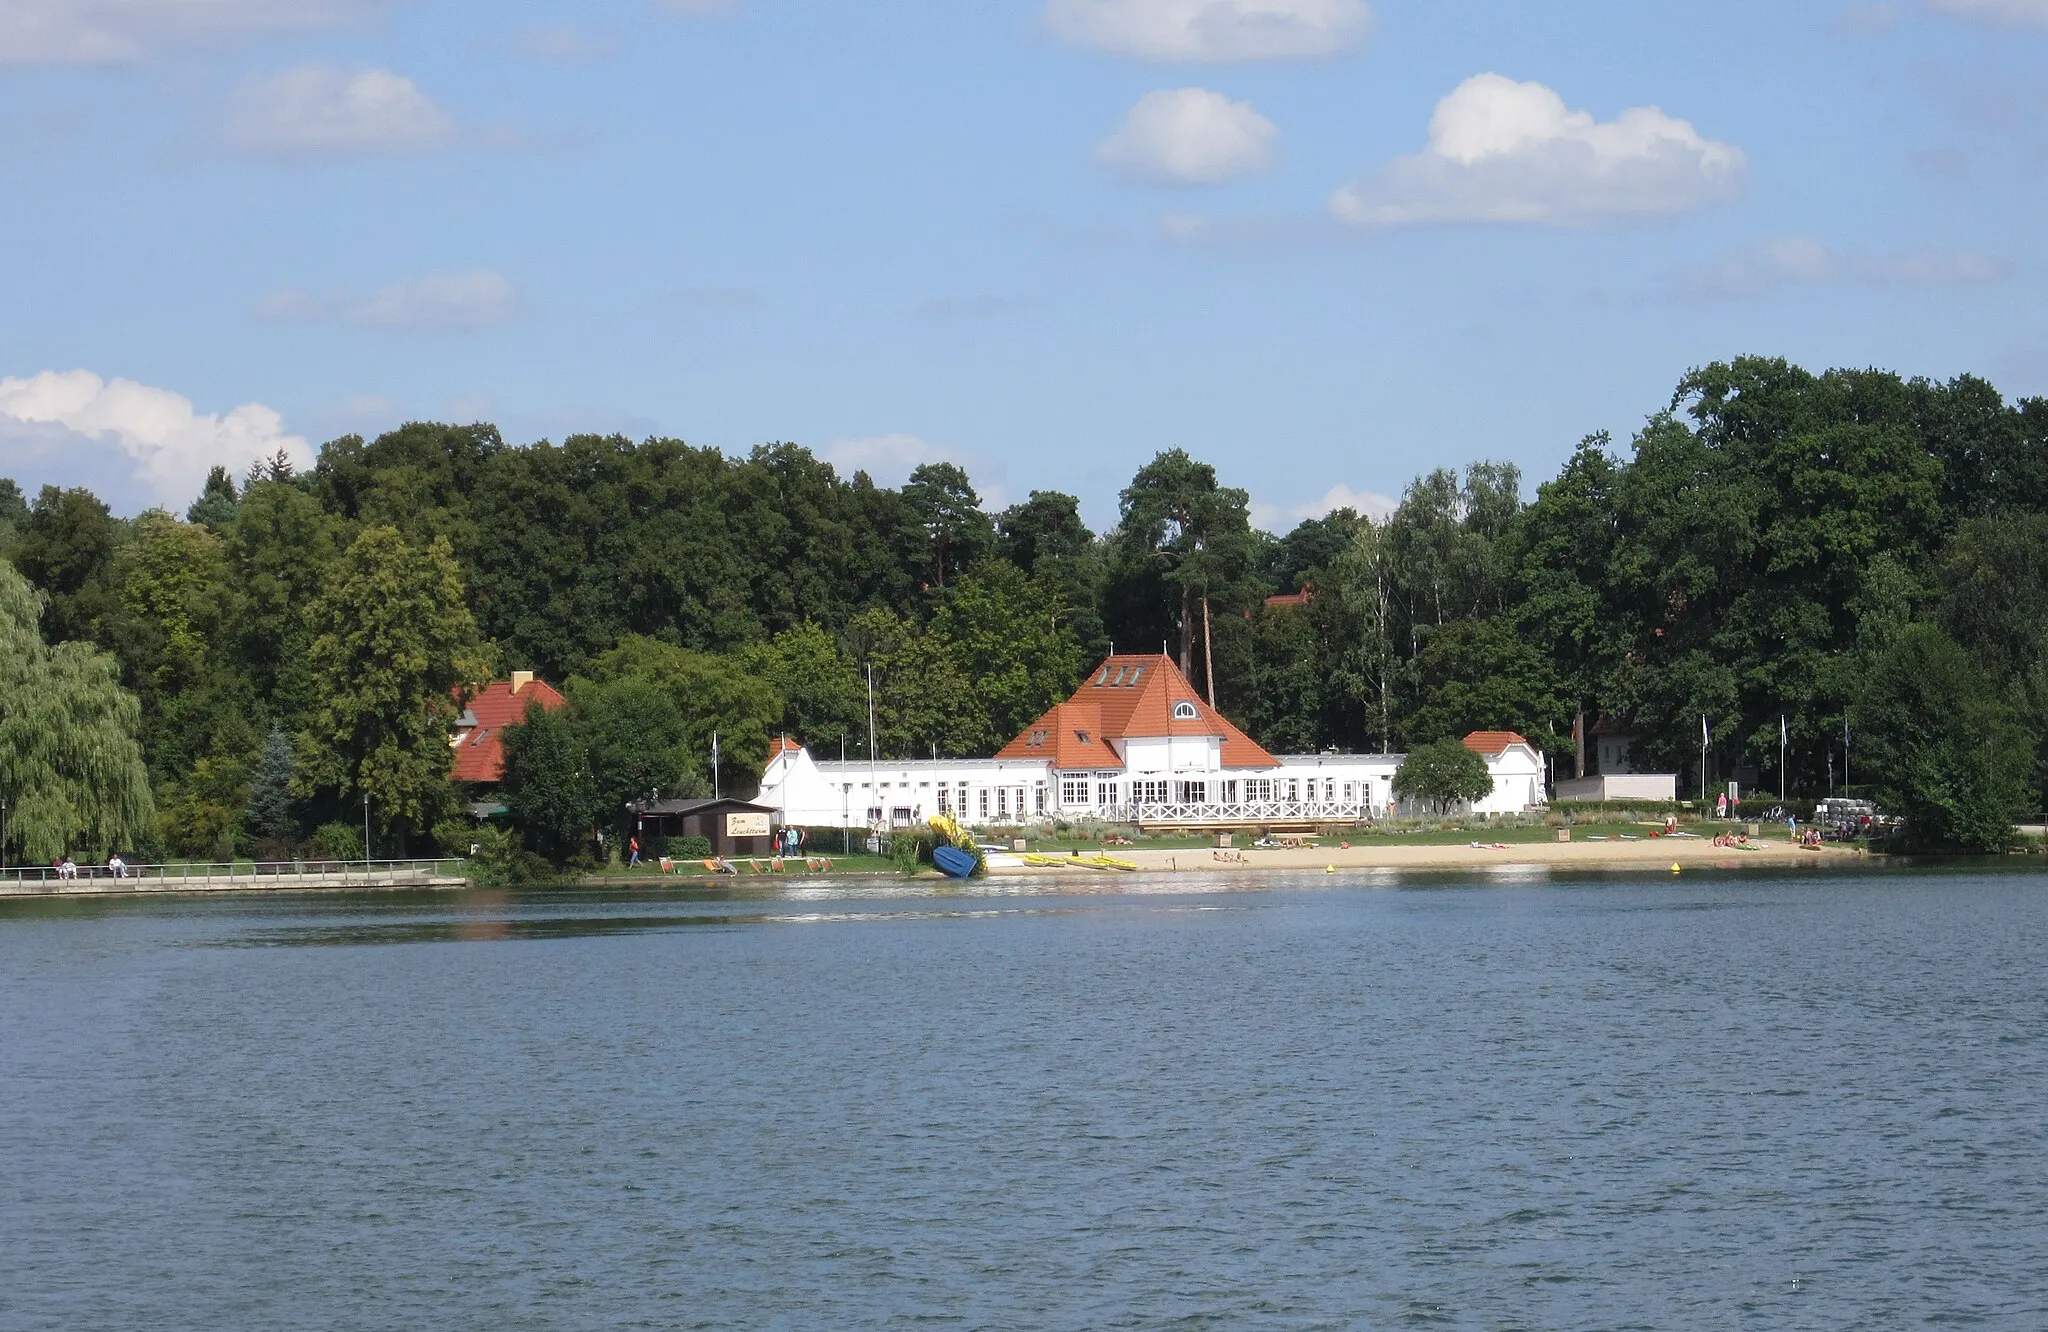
x=1717, y=1101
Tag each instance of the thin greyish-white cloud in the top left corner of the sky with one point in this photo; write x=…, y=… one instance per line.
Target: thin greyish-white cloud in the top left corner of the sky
x=108, y=32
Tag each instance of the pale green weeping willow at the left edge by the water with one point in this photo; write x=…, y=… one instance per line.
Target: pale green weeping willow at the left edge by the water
x=71, y=751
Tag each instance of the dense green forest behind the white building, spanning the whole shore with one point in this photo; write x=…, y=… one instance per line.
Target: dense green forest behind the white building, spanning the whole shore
x=1861, y=554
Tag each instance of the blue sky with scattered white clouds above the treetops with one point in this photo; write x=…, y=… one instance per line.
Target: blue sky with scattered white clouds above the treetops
x=1322, y=245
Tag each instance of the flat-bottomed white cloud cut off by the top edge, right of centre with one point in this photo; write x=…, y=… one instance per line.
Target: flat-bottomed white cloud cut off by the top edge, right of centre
x=1189, y=32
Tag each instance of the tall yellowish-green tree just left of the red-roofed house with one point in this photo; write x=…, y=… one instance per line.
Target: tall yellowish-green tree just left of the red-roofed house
x=392, y=649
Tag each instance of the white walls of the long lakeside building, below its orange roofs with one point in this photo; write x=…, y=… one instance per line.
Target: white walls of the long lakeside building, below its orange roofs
x=1162, y=782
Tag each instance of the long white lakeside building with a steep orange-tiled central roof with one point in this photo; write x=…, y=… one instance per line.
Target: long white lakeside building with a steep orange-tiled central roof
x=1136, y=745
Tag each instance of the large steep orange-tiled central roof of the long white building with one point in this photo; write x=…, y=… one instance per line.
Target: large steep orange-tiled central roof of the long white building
x=1129, y=698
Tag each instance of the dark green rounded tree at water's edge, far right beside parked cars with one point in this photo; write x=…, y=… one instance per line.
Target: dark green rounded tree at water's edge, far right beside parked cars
x=1945, y=745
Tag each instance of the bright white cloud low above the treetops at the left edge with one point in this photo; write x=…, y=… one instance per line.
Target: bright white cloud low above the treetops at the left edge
x=167, y=446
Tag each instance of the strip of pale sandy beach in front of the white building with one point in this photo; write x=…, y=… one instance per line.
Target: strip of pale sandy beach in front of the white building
x=1650, y=854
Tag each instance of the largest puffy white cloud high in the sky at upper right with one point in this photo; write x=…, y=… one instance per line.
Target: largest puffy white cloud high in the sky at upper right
x=1514, y=153
